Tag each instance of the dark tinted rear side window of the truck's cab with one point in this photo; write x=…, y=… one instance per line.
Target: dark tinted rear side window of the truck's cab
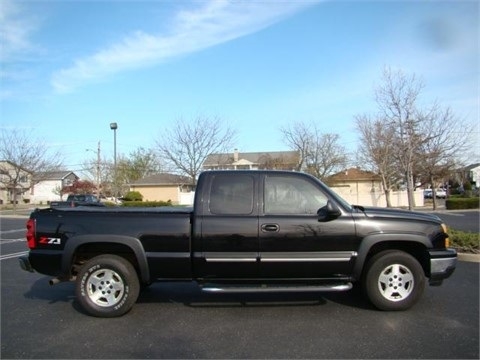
x=232, y=194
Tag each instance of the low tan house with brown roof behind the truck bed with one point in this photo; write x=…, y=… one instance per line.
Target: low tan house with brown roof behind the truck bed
x=163, y=187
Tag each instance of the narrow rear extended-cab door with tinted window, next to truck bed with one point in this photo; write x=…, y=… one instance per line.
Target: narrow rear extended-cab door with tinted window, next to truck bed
x=225, y=243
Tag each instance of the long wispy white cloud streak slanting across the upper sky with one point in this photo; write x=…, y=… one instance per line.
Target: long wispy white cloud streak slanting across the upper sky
x=213, y=23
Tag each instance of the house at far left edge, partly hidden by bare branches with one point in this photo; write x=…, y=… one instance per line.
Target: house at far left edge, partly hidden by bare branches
x=14, y=183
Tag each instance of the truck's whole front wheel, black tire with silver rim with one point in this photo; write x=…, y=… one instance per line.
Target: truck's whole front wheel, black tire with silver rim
x=393, y=280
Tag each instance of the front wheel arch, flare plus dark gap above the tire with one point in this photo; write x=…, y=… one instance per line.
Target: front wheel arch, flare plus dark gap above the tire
x=413, y=244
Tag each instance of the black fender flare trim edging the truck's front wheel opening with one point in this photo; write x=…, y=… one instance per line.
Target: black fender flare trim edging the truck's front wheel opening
x=371, y=240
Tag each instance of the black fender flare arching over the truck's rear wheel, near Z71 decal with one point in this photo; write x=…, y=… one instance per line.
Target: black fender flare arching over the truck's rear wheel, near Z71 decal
x=133, y=243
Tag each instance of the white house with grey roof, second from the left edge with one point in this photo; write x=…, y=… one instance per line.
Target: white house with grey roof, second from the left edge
x=48, y=185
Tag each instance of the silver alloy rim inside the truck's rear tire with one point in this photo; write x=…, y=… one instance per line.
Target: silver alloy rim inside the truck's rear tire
x=105, y=287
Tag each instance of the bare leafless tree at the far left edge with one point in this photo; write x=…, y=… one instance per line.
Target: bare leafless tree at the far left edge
x=25, y=161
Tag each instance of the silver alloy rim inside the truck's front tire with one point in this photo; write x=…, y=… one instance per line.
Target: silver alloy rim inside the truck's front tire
x=396, y=282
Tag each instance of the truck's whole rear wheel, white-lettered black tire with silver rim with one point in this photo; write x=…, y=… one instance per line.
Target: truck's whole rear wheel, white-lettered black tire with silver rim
x=107, y=286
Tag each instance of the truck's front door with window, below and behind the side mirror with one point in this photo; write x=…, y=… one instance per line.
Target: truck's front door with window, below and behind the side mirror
x=295, y=242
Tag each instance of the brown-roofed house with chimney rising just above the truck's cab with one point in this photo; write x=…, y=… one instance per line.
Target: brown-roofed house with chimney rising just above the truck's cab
x=281, y=160
